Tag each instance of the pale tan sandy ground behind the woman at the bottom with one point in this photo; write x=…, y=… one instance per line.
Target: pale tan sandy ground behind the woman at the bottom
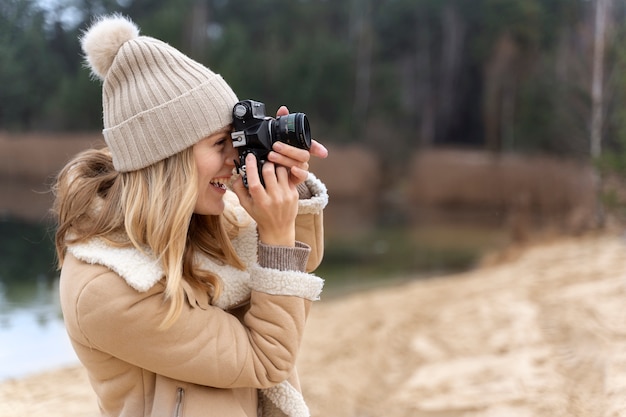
x=540, y=333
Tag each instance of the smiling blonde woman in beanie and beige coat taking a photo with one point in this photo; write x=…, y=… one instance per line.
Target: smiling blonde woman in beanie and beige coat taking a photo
x=182, y=298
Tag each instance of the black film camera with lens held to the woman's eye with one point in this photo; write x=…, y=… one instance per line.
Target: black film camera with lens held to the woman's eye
x=255, y=133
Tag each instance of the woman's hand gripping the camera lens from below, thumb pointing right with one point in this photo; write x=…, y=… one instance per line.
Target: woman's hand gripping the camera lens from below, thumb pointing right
x=296, y=160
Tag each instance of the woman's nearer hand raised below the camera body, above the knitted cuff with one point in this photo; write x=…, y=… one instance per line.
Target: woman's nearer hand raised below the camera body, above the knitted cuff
x=273, y=207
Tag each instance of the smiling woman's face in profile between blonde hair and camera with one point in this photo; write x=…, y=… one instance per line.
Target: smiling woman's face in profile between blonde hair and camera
x=214, y=156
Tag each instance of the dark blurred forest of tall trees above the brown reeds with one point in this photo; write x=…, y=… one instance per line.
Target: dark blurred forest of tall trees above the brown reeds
x=531, y=76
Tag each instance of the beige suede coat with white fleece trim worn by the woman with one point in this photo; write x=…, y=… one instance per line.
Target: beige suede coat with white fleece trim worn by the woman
x=216, y=360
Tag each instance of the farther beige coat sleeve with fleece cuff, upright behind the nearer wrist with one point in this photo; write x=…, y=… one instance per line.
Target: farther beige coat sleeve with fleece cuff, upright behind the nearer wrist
x=310, y=219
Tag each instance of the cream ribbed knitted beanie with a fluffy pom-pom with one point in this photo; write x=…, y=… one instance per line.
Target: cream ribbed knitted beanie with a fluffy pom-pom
x=156, y=101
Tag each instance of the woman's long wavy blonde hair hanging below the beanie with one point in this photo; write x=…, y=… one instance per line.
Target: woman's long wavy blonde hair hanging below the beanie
x=150, y=209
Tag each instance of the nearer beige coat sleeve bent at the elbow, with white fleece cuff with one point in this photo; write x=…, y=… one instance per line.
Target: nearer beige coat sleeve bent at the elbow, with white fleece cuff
x=205, y=346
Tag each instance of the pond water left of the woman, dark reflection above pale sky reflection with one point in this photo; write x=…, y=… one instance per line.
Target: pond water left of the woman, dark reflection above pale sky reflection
x=32, y=334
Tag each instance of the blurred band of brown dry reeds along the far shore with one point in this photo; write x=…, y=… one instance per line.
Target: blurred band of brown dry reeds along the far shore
x=511, y=191
